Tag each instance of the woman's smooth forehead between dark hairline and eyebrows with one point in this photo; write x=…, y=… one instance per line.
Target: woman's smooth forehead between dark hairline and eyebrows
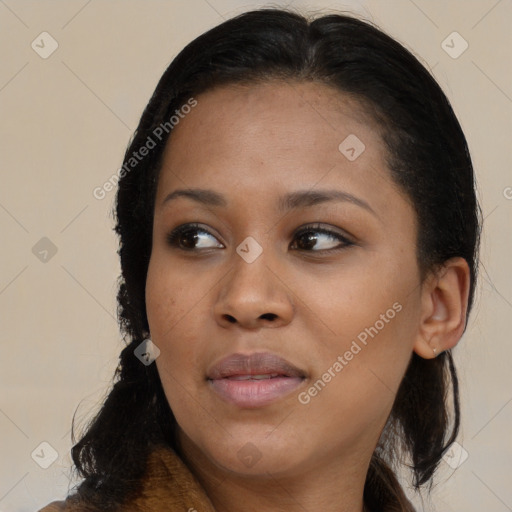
x=276, y=136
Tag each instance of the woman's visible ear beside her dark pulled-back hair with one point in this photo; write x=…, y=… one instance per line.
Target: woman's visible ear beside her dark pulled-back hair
x=444, y=302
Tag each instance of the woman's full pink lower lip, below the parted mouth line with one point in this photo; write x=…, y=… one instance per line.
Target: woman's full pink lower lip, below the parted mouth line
x=255, y=393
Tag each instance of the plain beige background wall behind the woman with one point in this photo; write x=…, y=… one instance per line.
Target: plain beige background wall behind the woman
x=65, y=123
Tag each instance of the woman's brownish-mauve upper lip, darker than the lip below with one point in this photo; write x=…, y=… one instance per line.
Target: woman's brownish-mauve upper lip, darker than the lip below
x=261, y=363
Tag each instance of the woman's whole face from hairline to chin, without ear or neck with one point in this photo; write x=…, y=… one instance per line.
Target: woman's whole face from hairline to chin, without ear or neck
x=286, y=312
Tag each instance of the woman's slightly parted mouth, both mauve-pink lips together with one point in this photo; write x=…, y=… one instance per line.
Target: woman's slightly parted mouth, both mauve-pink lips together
x=255, y=380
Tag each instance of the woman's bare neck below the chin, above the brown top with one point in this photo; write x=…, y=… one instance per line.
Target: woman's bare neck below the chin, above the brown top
x=333, y=486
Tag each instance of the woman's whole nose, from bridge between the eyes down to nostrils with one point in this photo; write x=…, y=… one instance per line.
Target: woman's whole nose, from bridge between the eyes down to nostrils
x=251, y=293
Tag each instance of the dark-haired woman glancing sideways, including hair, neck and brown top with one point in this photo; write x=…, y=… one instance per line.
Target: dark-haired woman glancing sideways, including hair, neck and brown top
x=299, y=242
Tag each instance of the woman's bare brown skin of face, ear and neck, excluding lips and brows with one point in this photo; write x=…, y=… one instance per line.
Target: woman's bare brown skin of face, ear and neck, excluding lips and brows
x=252, y=145
